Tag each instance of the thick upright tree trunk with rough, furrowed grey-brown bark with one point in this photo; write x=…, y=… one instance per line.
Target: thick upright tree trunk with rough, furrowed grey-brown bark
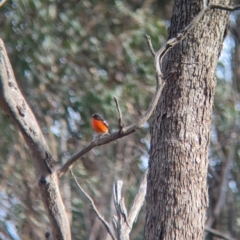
x=177, y=190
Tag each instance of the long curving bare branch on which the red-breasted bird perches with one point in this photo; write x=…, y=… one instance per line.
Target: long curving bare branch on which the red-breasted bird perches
x=158, y=59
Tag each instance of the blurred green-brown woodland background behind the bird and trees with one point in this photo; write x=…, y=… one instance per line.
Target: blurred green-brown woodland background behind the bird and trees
x=70, y=58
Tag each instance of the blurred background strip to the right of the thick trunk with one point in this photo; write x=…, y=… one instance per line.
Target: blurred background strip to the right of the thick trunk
x=223, y=178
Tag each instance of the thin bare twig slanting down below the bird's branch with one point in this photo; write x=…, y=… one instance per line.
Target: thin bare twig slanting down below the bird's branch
x=100, y=217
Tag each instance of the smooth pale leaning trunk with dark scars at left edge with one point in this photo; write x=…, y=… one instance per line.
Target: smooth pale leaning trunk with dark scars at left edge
x=16, y=107
